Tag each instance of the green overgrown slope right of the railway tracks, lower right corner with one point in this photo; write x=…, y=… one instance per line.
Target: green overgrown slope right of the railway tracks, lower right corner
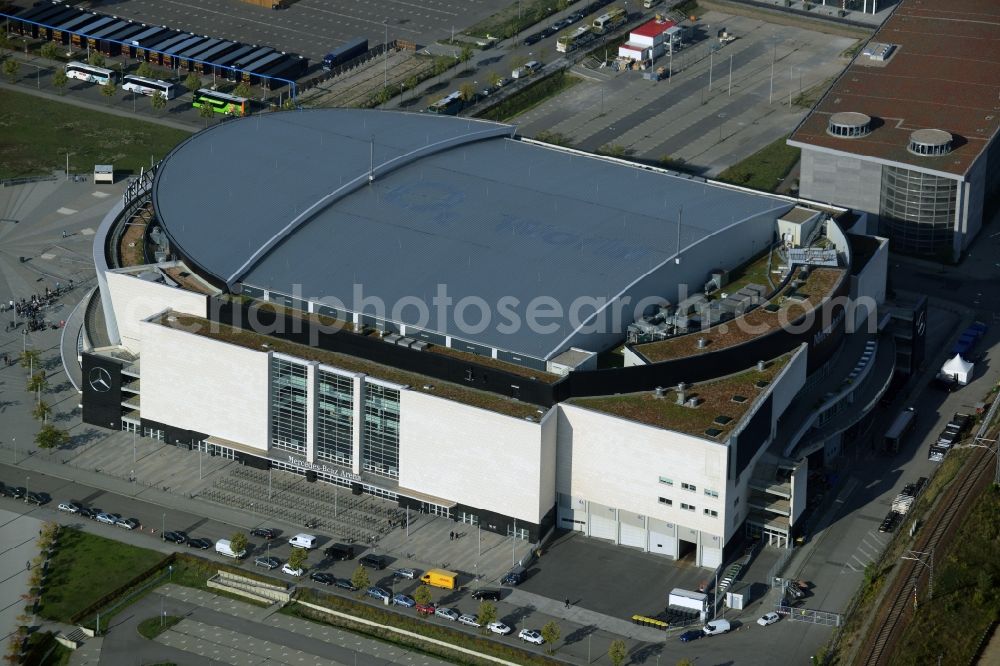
x=947, y=628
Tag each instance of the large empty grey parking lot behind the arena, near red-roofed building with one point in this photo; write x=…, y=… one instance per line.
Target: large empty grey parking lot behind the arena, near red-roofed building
x=698, y=117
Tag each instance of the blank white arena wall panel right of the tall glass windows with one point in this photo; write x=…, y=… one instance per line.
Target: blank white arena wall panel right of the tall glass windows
x=476, y=457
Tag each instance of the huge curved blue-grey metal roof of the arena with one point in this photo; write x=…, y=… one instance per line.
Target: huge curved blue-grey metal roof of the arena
x=314, y=203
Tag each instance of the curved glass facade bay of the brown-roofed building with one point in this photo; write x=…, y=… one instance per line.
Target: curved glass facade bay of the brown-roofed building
x=917, y=211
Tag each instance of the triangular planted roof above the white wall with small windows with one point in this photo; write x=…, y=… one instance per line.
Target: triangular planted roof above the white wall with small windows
x=716, y=398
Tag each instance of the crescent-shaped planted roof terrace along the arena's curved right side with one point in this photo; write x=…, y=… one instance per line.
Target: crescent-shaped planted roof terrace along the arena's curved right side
x=756, y=323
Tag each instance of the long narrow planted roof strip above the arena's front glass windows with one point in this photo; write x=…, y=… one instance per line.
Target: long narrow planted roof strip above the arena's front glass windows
x=256, y=341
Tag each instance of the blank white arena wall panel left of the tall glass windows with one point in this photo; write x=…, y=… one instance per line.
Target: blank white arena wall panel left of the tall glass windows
x=196, y=383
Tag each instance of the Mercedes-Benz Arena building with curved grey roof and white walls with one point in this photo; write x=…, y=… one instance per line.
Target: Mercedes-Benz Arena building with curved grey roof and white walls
x=415, y=306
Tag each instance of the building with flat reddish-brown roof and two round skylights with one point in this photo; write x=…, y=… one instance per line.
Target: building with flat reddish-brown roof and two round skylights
x=908, y=133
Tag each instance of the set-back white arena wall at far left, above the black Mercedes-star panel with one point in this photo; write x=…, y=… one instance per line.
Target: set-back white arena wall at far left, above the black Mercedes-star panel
x=134, y=300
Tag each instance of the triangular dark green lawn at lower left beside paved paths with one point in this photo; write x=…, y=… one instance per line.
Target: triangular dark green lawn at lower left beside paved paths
x=87, y=567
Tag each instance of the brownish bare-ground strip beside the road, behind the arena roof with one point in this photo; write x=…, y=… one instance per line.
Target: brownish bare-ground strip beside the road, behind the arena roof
x=356, y=87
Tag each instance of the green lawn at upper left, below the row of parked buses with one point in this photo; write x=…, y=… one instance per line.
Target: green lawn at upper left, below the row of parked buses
x=36, y=133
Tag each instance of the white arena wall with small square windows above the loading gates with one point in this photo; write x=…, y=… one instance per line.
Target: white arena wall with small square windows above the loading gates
x=617, y=463
